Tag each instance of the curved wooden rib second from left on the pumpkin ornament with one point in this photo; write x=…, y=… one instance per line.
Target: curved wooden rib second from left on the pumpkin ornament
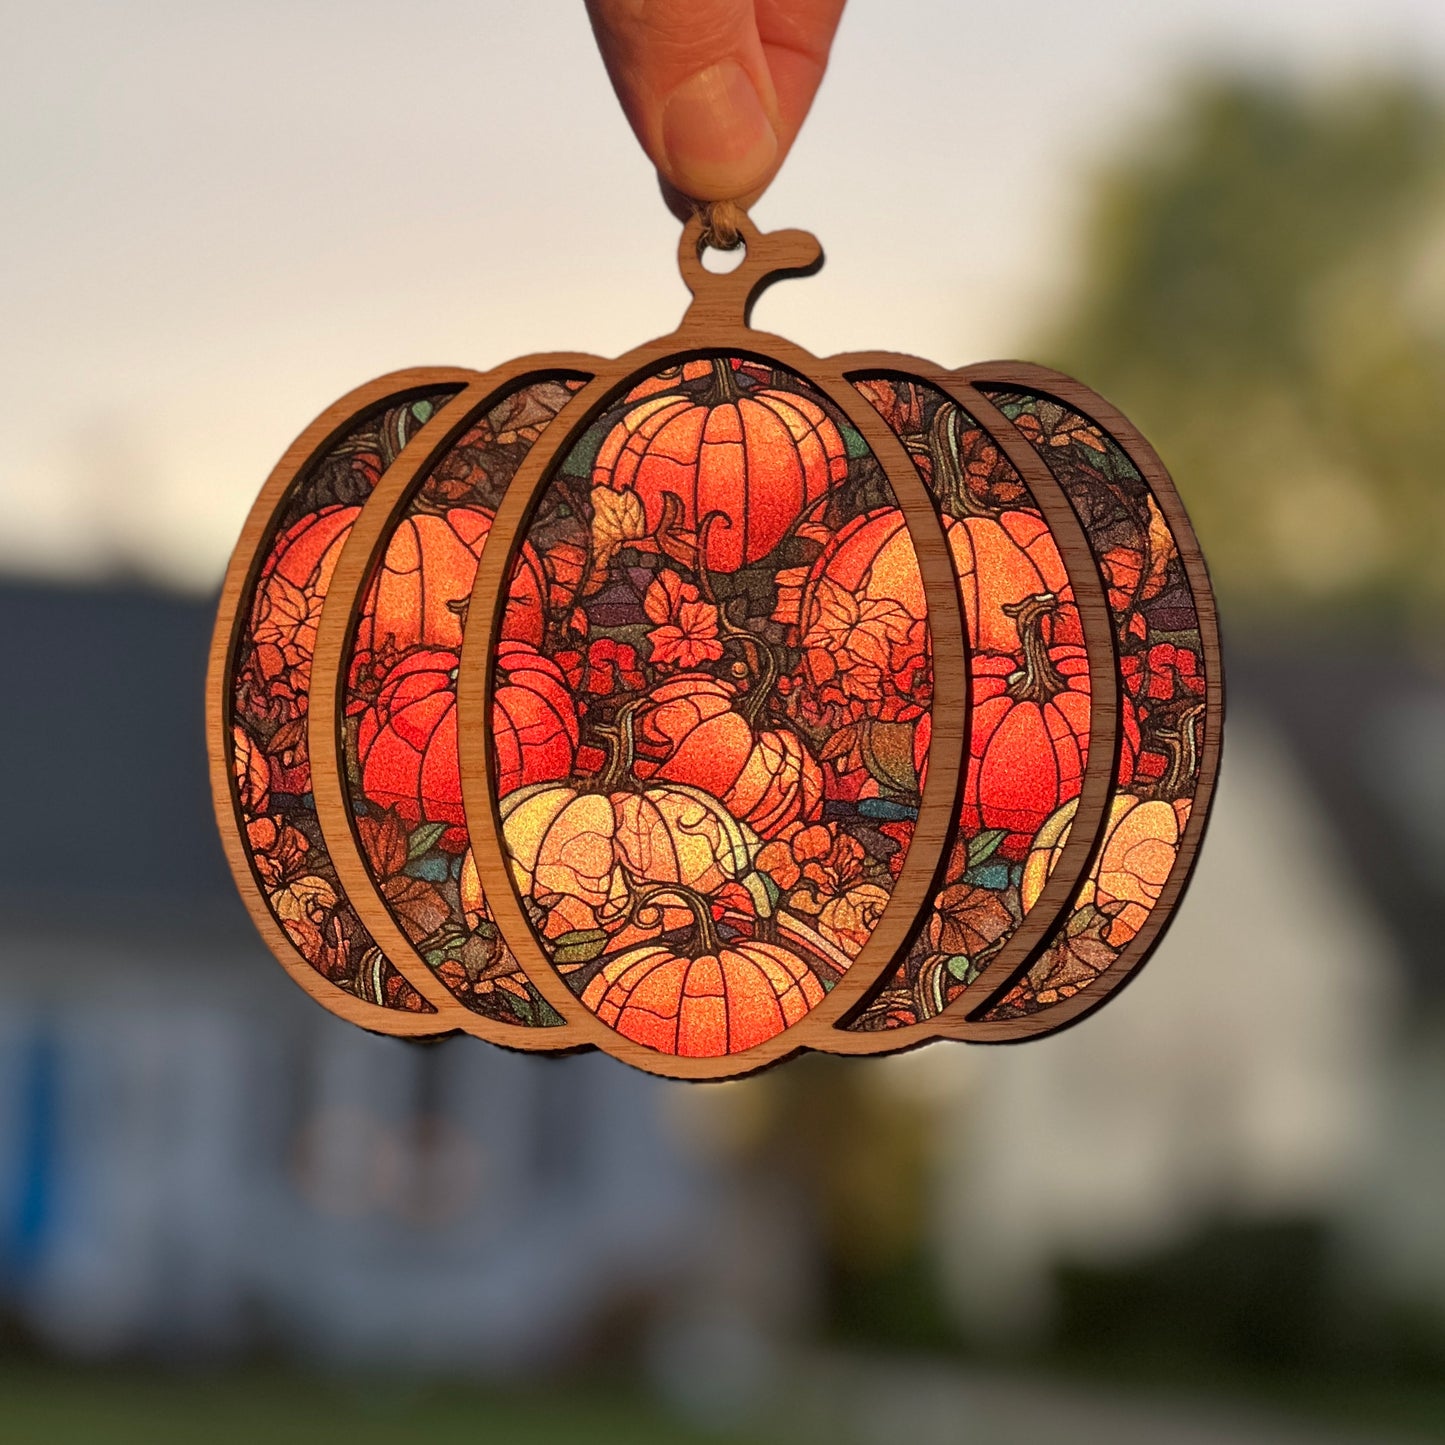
x=336, y=632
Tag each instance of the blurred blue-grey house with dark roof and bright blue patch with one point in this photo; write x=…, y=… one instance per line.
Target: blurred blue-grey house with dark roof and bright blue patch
x=193, y=1155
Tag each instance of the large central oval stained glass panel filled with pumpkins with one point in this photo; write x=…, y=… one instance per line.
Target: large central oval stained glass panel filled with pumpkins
x=712, y=704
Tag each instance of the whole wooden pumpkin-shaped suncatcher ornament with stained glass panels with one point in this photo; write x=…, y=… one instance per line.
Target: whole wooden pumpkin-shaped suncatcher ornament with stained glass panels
x=717, y=702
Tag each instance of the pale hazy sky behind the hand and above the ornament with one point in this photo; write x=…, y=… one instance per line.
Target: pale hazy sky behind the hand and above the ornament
x=219, y=219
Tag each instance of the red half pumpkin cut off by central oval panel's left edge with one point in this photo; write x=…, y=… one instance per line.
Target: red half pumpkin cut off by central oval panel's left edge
x=534, y=719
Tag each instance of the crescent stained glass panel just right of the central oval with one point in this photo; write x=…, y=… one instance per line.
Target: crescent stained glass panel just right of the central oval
x=1030, y=696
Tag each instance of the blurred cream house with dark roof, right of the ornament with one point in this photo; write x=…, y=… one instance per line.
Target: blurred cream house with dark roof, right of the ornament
x=1282, y=1058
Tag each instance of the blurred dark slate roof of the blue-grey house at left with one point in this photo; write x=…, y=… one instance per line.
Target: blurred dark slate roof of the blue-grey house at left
x=103, y=751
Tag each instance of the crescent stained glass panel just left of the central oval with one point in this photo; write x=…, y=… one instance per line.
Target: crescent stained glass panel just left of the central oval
x=400, y=729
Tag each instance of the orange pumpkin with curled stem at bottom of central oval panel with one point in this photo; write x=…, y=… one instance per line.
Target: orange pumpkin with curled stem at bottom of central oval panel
x=706, y=1002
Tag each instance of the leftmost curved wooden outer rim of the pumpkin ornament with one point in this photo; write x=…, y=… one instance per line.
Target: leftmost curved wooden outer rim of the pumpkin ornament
x=239, y=585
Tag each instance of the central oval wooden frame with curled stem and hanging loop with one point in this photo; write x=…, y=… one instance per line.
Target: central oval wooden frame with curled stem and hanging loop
x=713, y=326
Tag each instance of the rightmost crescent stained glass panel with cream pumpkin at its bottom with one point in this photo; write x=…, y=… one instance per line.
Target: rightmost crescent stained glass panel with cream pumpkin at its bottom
x=1163, y=668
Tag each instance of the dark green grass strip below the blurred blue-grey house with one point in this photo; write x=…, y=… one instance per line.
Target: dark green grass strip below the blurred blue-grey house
x=54, y=1405
